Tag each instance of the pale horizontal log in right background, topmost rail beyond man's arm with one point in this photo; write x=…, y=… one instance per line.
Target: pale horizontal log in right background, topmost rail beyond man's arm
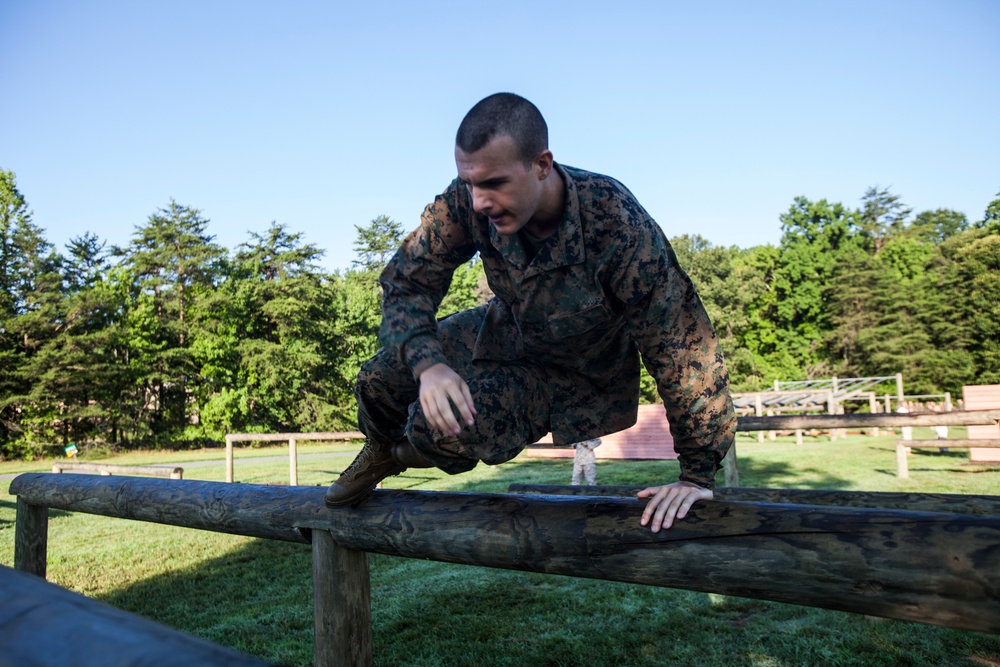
x=792, y=422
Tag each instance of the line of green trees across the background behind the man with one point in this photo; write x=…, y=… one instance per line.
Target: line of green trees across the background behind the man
x=174, y=341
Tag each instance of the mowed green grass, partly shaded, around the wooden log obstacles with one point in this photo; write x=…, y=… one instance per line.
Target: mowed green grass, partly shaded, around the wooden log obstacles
x=256, y=595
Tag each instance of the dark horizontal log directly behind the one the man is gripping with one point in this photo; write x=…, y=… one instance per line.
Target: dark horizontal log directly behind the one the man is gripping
x=913, y=502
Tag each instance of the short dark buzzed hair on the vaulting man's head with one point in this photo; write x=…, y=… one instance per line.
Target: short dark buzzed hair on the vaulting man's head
x=504, y=114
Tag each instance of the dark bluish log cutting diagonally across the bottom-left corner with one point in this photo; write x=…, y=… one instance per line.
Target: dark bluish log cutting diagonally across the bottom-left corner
x=42, y=624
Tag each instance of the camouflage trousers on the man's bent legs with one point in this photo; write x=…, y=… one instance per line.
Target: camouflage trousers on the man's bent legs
x=511, y=400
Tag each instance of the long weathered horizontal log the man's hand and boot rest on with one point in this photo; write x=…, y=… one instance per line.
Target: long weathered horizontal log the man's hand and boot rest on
x=936, y=568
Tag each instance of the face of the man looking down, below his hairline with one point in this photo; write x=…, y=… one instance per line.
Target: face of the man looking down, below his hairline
x=501, y=186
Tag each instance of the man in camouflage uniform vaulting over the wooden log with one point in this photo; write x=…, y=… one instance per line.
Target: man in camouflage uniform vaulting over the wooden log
x=584, y=282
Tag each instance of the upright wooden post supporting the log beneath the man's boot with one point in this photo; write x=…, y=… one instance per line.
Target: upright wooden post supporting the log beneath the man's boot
x=342, y=611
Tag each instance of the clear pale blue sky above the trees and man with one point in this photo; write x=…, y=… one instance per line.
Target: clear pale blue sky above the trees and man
x=323, y=115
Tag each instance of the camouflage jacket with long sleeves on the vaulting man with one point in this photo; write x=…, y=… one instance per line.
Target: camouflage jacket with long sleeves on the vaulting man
x=603, y=289
